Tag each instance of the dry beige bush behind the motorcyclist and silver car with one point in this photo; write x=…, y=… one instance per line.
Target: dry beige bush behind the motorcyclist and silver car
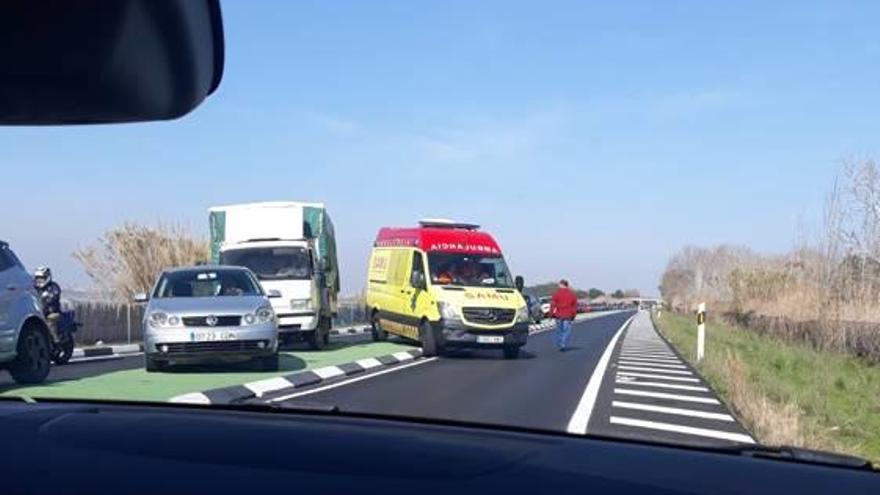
x=127, y=259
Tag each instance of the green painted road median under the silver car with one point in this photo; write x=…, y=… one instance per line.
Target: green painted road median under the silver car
x=138, y=385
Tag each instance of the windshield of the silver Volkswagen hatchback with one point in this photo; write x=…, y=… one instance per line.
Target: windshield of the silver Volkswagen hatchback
x=206, y=283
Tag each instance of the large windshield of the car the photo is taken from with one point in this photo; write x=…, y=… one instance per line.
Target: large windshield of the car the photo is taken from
x=690, y=191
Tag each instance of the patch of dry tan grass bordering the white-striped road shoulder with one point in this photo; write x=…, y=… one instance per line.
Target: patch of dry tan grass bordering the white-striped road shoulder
x=772, y=423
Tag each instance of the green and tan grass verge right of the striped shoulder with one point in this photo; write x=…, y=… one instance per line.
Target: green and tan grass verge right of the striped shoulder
x=786, y=393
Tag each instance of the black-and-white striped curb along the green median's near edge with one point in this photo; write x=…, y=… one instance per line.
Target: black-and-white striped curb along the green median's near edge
x=236, y=393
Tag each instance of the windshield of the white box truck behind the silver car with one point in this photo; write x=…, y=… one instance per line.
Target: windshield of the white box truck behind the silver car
x=272, y=263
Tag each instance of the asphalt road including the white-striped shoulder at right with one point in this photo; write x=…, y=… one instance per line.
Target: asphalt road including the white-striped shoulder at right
x=551, y=390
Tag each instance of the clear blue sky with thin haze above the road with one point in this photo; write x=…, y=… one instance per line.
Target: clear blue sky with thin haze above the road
x=594, y=139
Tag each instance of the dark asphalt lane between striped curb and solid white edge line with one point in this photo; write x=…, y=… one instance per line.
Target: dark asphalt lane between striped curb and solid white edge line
x=540, y=390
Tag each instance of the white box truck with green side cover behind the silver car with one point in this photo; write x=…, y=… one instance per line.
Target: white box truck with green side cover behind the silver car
x=291, y=247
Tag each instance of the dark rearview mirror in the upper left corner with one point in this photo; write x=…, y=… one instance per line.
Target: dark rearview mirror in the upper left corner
x=106, y=61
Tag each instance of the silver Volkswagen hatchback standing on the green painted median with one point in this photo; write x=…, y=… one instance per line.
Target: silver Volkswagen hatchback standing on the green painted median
x=209, y=314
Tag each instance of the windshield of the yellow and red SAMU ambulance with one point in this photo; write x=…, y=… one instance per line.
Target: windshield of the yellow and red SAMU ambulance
x=469, y=270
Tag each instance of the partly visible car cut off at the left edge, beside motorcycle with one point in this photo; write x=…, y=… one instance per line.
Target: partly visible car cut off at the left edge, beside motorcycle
x=25, y=348
